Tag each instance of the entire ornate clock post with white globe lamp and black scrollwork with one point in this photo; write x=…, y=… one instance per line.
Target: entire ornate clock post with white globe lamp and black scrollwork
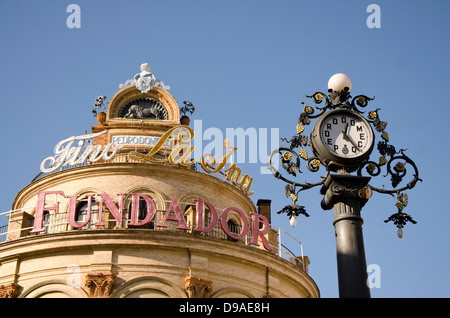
x=341, y=142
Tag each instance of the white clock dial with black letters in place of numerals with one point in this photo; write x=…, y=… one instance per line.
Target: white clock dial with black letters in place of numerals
x=346, y=136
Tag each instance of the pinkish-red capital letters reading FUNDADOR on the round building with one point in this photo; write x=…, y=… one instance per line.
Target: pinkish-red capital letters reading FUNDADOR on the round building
x=257, y=233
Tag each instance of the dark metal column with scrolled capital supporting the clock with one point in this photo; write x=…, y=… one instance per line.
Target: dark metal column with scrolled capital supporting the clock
x=347, y=195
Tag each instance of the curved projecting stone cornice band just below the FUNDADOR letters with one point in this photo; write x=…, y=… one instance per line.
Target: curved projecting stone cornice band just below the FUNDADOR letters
x=164, y=240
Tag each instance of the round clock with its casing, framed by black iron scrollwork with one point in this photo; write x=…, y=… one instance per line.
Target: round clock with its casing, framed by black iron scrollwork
x=342, y=138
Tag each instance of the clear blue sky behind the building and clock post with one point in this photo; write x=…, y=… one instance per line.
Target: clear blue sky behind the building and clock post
x=248, y=63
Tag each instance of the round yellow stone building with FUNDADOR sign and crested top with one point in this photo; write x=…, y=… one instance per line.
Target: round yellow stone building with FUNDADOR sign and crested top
x=124, y=212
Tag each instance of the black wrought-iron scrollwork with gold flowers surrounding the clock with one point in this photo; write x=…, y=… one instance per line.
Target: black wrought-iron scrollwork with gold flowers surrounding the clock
x=396, y=164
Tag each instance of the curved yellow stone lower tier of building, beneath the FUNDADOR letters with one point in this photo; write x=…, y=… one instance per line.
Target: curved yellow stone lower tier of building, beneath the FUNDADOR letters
x=148, y=264
